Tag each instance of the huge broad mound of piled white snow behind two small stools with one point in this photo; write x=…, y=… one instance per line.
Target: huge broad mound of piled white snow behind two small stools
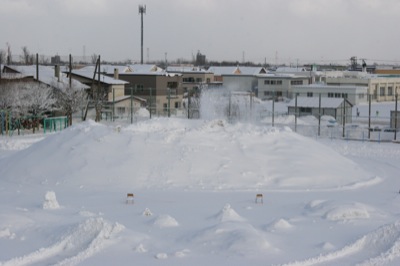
x=169, y=153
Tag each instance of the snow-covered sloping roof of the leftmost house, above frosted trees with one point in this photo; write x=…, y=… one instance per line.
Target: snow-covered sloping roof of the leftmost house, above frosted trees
x=47, y=76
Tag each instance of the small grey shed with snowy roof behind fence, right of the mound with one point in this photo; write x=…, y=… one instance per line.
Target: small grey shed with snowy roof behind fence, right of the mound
x=335, y=107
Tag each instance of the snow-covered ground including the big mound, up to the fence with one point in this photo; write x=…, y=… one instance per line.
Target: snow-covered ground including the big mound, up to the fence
x=63, y=197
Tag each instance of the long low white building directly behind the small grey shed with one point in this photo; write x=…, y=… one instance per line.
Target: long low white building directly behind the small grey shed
x=354, y=94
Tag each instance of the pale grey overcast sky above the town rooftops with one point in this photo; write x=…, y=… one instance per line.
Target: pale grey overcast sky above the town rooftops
x=278, y=31
